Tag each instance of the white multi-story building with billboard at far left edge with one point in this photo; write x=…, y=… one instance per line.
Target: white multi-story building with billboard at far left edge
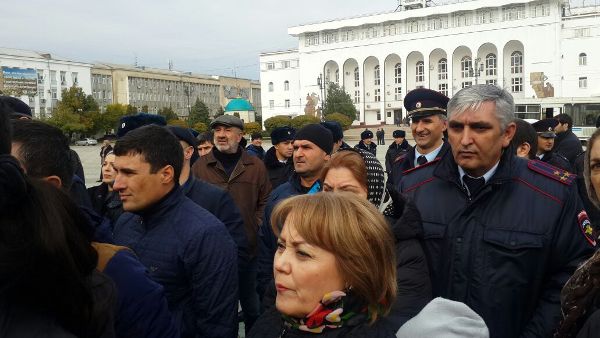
x=39, y=78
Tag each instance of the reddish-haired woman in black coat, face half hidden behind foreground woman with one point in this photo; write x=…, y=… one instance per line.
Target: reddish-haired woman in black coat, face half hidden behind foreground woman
x=359, y=172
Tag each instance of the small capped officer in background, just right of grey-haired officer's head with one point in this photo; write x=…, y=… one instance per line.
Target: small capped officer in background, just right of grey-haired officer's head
x=545, y=152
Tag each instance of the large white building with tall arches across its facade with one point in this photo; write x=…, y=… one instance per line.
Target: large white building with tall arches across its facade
x=544, y=52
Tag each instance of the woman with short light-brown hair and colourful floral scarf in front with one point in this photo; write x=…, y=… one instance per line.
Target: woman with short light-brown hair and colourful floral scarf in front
x=334, y=271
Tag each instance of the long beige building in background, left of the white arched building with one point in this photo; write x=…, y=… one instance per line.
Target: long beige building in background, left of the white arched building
x=160, y=88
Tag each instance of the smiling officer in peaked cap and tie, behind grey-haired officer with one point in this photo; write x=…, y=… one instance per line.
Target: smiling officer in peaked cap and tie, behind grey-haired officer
x=427, y=110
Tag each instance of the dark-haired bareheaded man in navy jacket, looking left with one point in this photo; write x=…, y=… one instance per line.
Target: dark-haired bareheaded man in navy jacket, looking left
x=185, y=248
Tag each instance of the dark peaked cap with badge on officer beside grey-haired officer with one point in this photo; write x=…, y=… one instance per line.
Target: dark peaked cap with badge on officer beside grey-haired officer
x=422, y=102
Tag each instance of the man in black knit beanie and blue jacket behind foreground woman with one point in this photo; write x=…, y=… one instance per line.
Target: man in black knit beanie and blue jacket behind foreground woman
x=313, y=145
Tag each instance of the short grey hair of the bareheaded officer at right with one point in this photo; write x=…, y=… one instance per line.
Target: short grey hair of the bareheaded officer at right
x=472, y=97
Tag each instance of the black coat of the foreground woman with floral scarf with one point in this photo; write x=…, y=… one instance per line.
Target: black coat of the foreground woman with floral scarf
x=270, y=325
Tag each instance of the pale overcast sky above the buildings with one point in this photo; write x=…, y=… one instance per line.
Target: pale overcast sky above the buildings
x=210, y=37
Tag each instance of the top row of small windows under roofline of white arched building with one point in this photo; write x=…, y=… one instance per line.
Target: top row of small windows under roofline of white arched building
x=436, y=22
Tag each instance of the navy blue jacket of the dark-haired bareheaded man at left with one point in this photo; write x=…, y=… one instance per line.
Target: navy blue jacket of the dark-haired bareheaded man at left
x=188, y=251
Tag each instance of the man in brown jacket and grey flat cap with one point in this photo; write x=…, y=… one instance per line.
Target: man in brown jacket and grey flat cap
x=245, y=177
